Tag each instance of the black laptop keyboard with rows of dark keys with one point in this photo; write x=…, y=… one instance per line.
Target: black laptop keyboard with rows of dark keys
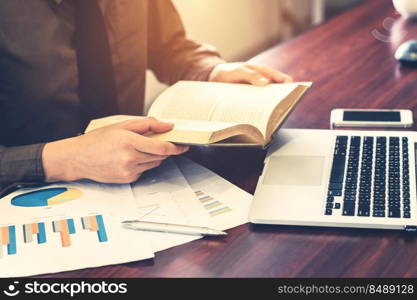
x=370, y=177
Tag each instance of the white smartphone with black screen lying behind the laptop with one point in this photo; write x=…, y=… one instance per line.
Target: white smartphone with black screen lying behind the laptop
x=371, y=118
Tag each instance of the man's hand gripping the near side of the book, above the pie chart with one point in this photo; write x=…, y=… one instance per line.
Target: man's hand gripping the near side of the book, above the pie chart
x=113, y=154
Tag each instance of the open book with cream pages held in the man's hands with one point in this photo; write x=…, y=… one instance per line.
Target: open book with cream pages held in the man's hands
x=207, y=113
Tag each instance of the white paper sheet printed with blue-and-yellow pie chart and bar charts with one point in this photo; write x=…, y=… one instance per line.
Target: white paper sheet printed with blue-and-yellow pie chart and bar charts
x=67, y=226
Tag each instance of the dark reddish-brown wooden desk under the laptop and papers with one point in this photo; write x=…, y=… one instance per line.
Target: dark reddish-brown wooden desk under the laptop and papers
x=350, y=68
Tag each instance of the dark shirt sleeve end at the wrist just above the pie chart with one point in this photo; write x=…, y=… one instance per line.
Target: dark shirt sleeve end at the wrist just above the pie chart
x=20, y=165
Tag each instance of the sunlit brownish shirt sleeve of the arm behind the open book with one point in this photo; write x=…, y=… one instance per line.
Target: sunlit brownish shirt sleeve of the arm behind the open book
x=172, y=56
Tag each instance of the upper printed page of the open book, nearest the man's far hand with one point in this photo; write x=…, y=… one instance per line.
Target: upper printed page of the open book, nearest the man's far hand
x=221, y=102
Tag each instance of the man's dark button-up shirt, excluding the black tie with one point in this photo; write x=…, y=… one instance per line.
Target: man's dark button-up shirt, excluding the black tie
x=39, y=101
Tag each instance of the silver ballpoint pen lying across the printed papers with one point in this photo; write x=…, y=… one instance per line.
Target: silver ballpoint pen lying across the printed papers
x=171, y=228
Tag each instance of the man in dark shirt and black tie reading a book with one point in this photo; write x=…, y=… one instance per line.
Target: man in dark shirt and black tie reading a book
x=65, y=62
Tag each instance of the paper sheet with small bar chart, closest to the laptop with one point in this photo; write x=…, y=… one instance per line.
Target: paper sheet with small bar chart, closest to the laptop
x=226, y=205
